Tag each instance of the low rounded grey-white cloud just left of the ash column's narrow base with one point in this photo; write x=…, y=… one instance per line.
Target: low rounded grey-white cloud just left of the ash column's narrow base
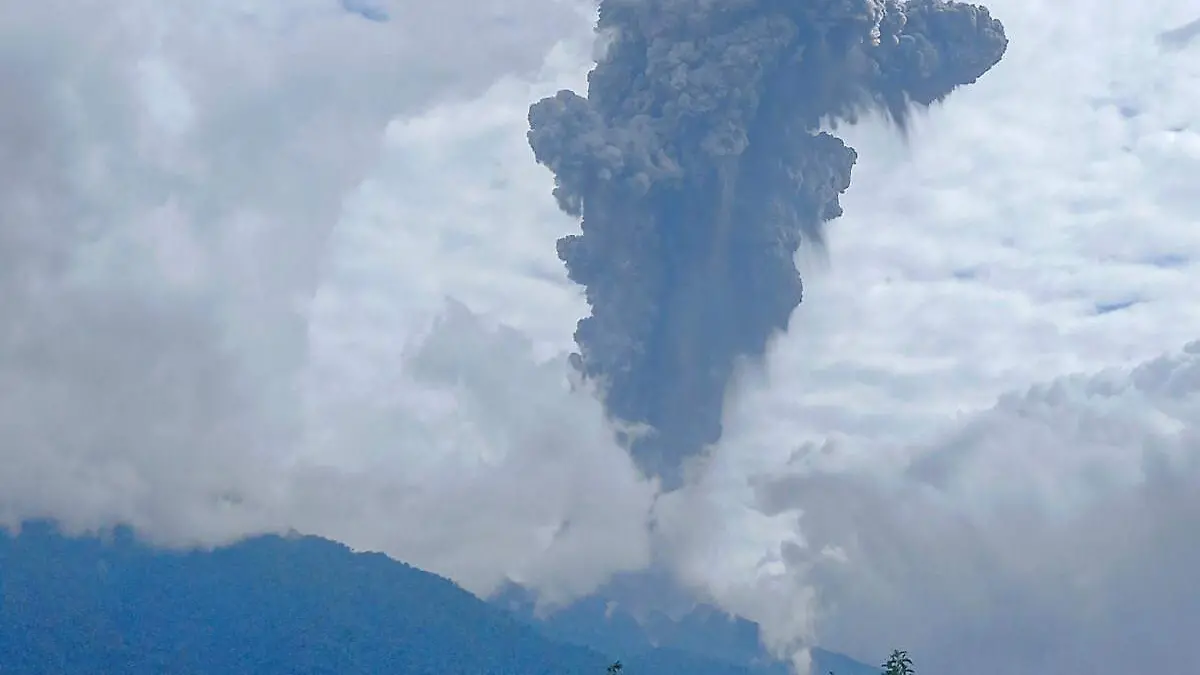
x=465, y=456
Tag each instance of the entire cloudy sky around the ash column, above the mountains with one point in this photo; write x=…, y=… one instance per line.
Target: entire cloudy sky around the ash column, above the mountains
x=272, y=264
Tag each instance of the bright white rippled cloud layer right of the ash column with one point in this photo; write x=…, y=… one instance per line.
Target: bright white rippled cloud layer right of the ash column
x=973, y=262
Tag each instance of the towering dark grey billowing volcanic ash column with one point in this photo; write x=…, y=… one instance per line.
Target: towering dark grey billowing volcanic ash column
x=698, y=166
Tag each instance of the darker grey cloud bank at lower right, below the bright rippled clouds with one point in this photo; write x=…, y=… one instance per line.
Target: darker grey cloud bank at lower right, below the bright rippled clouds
x=1053, y=533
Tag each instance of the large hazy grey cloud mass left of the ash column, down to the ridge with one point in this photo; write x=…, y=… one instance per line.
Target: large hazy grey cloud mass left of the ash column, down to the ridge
x=182, y=341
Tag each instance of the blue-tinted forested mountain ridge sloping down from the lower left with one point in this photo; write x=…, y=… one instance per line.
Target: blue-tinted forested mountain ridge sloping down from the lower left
x=269, y=606
